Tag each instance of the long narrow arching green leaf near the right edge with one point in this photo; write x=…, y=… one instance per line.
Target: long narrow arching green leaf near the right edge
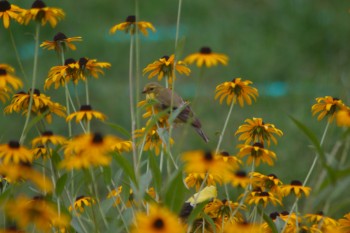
x=319, y=151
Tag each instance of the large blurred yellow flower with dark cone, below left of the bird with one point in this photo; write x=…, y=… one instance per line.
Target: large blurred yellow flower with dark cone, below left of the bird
x=88, y=150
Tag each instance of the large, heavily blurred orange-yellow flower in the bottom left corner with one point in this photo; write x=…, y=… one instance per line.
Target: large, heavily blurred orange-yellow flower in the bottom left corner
x=37, y=211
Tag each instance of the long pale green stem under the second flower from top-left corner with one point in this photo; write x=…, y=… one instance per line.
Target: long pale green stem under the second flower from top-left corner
x=35, y=67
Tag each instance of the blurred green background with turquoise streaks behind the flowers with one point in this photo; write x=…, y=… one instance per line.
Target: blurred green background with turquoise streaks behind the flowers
x=293, y=51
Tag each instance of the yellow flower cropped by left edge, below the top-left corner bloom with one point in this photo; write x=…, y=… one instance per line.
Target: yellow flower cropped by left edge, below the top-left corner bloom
x=7, y=77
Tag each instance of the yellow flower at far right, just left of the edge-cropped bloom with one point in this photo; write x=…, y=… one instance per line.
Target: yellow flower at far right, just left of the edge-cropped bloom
x=326, y=106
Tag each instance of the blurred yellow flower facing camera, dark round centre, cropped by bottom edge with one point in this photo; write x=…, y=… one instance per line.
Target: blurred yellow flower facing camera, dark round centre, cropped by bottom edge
x=158, y=220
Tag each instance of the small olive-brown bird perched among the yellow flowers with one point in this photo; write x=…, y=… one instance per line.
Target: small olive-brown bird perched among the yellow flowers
x=163, y=96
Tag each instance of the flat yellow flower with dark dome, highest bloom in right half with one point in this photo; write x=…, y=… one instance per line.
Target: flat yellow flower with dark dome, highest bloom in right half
x=206, y=57
